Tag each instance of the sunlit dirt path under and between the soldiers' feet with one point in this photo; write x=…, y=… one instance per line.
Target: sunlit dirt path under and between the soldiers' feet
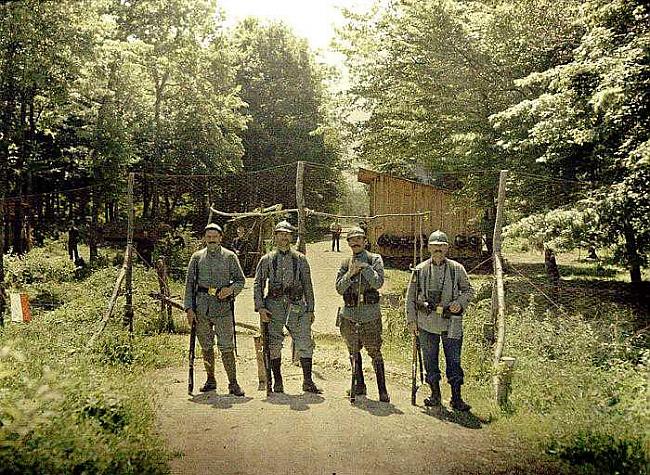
x=324, y=434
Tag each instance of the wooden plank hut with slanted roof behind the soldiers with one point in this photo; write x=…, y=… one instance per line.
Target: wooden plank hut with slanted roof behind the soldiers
x=398, y=237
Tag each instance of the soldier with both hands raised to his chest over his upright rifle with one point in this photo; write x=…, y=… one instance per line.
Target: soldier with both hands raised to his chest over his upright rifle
x=358, y=281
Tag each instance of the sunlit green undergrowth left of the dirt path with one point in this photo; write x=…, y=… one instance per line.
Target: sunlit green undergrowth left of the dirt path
x=84, y=411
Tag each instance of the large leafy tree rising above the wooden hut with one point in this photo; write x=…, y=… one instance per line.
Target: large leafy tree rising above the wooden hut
x=429, y=74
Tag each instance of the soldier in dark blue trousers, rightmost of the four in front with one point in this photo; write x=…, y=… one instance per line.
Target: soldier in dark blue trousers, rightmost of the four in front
x=437, y=295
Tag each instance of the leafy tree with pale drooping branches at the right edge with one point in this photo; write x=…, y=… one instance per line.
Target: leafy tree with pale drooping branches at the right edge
x=591, y=124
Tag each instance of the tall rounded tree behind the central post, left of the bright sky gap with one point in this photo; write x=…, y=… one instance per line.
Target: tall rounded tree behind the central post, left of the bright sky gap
x=283, y=88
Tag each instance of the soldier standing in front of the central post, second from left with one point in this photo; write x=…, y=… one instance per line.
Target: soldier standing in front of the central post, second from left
x=289, y=301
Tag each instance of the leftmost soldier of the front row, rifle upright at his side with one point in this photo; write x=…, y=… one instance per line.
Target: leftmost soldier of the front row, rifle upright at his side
x=214, y=278
